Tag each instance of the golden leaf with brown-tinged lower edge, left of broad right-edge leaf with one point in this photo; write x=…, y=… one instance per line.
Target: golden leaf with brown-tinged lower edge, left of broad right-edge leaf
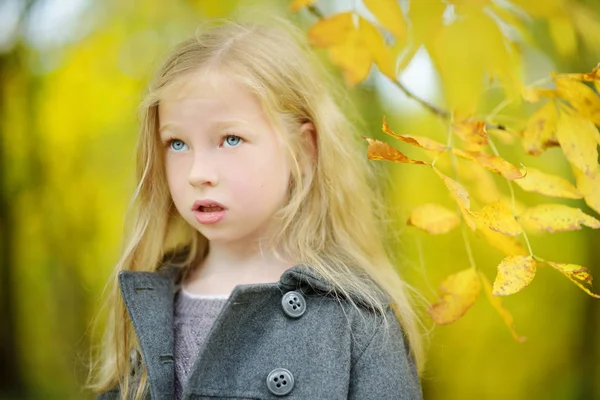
x=540, y=132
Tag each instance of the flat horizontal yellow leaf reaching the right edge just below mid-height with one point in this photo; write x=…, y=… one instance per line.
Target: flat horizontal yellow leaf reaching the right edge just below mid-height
x=556, y=218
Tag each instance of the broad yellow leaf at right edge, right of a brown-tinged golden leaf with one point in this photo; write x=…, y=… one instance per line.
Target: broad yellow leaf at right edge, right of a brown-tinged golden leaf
x=578, y=139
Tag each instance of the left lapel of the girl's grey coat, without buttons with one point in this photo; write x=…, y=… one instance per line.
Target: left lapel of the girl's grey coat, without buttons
x=149, y=297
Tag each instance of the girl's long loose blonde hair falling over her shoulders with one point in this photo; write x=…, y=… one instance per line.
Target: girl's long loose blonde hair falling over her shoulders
x=332, y=219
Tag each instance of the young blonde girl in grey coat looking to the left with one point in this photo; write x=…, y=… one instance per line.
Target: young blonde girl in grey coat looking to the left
x=256, y=267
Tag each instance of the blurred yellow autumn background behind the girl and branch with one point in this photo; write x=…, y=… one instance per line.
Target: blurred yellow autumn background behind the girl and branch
x=71, y=75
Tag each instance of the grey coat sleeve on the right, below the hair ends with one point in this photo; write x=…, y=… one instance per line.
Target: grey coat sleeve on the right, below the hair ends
x=384, y=370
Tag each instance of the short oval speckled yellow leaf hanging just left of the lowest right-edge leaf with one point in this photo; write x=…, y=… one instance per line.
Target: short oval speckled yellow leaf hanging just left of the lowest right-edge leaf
x=514, y=274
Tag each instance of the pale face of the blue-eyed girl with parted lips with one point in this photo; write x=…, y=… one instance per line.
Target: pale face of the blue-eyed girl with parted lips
x=226, y=166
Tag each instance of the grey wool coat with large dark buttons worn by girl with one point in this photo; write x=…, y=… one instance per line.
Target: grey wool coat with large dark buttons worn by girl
x=293, y=339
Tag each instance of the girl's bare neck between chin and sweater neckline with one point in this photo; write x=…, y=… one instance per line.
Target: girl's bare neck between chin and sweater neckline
x=226, y=267
